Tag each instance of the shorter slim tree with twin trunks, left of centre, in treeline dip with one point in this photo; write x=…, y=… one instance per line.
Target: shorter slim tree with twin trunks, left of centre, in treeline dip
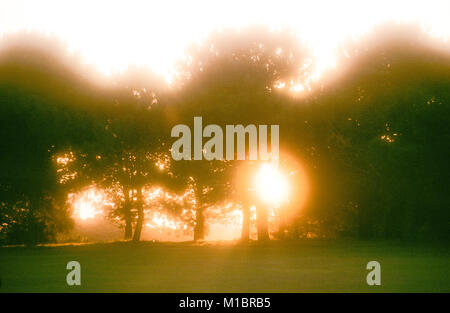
x=133, y=151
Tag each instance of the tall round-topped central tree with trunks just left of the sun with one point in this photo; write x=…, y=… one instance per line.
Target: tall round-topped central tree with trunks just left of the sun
x=232, y=78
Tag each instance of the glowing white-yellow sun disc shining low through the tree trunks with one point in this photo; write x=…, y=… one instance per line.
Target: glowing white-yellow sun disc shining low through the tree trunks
x=271, y=185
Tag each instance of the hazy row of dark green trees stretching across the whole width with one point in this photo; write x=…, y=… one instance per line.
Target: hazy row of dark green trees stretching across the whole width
x=372, y=137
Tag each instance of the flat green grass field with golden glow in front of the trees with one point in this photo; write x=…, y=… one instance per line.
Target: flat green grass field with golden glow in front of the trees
x=311, y=266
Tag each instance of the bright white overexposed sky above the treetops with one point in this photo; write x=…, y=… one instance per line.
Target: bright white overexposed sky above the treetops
x=112, y=34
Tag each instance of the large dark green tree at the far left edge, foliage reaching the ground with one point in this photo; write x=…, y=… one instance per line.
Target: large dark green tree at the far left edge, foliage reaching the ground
x=41, y=102
